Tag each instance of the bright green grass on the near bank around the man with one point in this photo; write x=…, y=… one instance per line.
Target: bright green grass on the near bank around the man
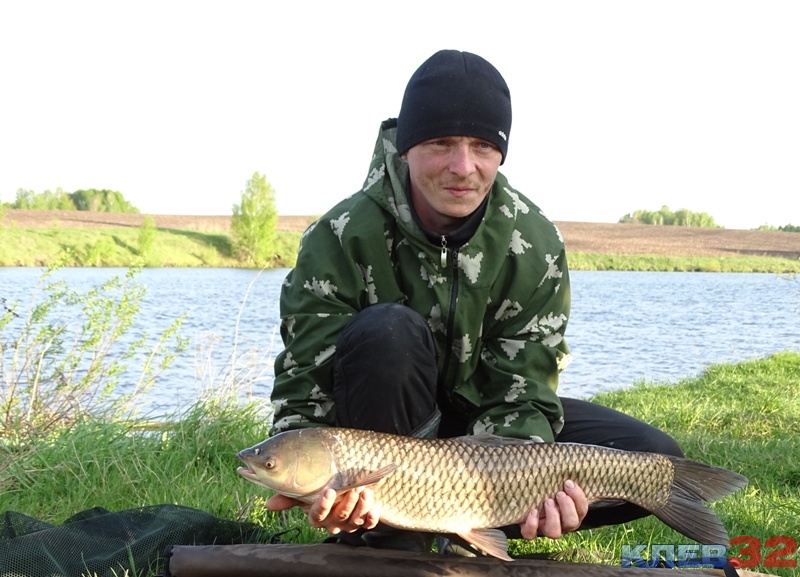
x=745, y=417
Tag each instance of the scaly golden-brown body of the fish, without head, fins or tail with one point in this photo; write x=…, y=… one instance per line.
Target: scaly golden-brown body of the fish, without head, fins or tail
x=500, y=483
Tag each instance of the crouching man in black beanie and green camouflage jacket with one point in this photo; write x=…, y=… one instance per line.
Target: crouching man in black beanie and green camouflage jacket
x=434, y=302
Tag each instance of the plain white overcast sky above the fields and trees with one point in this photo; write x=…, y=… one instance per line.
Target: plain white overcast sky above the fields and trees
x=618, y=105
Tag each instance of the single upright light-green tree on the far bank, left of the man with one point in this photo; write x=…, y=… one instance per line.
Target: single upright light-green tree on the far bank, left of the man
x=253, y=222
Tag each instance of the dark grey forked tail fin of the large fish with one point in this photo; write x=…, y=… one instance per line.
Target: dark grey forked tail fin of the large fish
x=695, y=483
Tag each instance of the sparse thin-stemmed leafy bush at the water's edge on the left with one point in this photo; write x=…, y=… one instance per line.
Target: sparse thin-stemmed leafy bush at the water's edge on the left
x=63, y=359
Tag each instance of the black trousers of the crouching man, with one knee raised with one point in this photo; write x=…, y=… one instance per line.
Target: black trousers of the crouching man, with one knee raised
x=385, y=379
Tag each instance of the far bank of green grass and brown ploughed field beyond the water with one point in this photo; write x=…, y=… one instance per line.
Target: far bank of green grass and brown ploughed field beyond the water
x=78, y=238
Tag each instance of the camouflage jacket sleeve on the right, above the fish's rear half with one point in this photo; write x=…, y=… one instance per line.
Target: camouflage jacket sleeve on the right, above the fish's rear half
x=521, y=359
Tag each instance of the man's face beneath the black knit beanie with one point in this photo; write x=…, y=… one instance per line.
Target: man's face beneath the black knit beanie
x=450, y=177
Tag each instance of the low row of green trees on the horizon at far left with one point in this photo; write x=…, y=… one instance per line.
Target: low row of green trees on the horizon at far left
x=92, y=200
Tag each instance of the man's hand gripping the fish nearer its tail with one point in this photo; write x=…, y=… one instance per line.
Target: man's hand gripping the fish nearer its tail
x=561, y=515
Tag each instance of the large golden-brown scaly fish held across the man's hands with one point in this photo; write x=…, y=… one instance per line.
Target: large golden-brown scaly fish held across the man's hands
x=472, y=485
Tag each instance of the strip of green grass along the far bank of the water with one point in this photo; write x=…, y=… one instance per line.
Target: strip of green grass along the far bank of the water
x=118, y=247
